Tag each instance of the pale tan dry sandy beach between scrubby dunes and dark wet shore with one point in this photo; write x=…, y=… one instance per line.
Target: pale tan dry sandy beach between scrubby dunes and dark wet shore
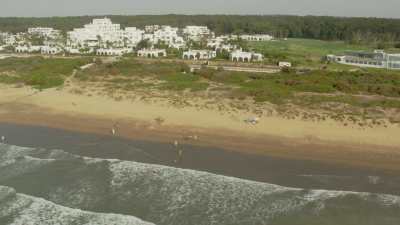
x=325, y=141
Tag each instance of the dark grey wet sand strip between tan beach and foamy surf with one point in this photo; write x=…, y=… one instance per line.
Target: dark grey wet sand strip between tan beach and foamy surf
x=309, y=174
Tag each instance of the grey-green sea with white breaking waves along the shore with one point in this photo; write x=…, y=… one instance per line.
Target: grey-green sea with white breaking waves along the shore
x=53, y=186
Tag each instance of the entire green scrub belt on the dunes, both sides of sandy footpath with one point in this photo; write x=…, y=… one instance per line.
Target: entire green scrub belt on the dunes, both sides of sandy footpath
x=130, y=74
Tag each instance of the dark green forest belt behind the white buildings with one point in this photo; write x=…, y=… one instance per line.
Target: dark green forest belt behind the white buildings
x=316, y=27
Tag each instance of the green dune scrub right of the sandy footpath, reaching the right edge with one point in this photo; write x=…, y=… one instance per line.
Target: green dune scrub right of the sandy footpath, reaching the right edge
x=374, y=87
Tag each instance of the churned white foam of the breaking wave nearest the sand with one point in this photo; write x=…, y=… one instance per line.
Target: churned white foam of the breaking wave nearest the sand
x=221, y=197
